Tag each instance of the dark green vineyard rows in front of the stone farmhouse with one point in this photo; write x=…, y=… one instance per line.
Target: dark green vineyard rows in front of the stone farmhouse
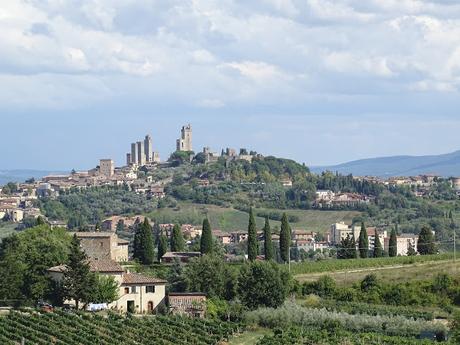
x=68, y=329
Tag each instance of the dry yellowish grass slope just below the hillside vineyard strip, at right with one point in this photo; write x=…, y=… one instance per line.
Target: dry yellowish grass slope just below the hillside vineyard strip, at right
x=417, y=271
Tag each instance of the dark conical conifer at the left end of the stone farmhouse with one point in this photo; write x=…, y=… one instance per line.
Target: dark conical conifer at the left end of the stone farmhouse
x=78, y=280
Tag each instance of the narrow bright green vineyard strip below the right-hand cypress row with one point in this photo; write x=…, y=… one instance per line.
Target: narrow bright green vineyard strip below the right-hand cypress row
x=338, y=265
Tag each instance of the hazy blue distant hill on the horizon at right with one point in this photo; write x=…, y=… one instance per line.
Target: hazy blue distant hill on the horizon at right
x=443, y=165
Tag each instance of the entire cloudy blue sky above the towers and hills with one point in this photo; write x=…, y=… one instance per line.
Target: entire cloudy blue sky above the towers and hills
x=318, y=81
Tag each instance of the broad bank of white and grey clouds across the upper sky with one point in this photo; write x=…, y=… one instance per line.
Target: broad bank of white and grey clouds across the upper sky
x=197, y=52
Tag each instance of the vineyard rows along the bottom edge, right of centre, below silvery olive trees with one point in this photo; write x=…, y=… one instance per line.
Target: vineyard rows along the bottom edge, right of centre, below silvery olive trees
x=297, y=336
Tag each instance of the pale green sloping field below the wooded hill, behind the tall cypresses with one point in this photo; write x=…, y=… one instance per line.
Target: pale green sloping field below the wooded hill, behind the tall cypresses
x=229, y=219
